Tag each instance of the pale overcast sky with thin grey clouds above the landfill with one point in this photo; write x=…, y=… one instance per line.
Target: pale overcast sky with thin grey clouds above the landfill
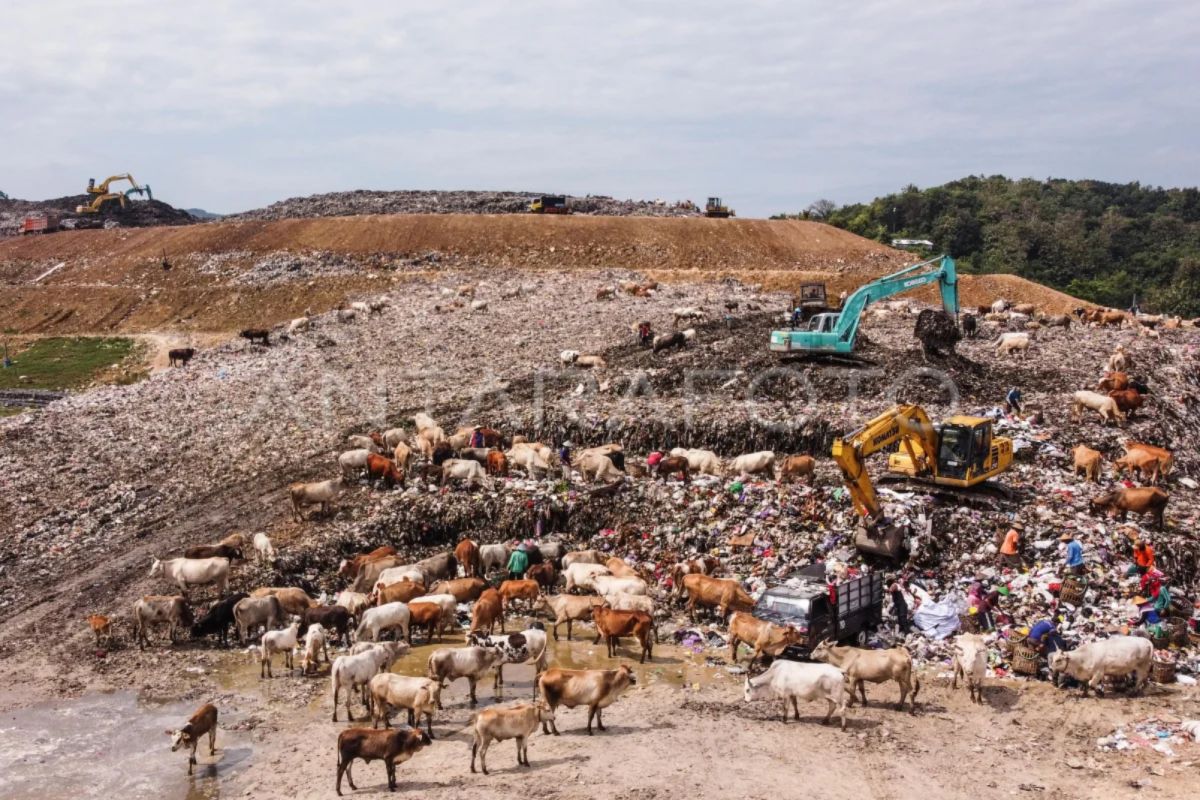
x=230, y=106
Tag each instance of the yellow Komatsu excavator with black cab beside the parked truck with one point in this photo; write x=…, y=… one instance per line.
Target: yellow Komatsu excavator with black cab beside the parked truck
x=959, y=454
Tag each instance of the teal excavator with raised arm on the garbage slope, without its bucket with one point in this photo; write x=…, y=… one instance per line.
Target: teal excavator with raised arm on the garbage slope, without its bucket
x=833, y=334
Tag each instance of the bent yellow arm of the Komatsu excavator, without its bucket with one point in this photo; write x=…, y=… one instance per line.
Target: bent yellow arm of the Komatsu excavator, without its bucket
x=907, y=424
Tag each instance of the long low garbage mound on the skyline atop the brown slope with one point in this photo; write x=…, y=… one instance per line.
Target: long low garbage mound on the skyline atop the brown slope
x=363, y=202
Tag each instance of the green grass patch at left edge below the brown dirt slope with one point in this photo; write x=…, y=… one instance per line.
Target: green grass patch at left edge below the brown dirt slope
x=64, y=363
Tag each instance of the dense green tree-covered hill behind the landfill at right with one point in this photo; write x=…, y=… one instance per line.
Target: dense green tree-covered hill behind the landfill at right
x=1105, y=243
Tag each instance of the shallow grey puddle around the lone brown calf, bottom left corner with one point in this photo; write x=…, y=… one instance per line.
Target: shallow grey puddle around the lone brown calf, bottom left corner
x=110, y=747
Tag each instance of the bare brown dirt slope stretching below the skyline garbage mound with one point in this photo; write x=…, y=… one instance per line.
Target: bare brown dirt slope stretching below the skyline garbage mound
x=229, y=275
